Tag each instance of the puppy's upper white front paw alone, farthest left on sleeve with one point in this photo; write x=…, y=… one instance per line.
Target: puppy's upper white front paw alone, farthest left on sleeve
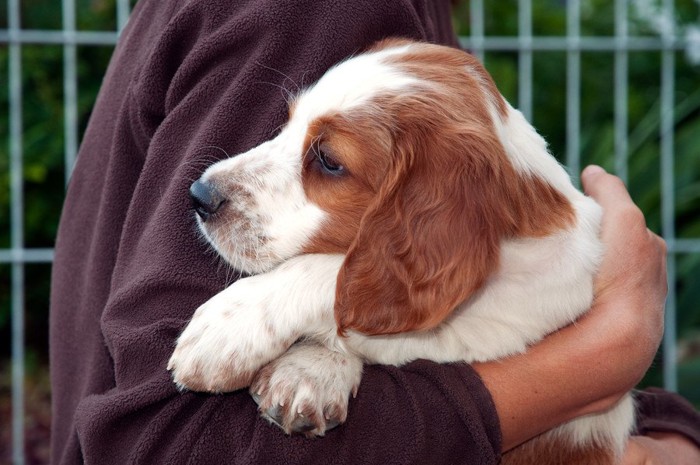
x=228, y=340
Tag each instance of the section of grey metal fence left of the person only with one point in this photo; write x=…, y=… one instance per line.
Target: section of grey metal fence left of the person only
x=18, y=255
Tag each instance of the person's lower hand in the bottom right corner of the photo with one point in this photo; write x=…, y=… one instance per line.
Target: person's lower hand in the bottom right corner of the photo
x=661, y=449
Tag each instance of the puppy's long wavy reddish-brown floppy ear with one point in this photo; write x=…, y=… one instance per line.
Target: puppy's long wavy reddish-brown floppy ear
x=430, y=239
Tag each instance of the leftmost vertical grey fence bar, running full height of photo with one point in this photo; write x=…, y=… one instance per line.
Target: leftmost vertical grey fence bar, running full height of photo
x=17, y=231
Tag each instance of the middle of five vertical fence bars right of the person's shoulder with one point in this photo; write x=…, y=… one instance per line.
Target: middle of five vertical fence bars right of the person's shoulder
x=573, y=89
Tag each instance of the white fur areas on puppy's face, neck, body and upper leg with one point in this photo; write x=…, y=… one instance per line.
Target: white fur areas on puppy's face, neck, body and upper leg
x=294, y=296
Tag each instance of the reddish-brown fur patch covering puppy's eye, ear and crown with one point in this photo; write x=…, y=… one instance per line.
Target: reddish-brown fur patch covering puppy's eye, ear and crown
x=428, y=196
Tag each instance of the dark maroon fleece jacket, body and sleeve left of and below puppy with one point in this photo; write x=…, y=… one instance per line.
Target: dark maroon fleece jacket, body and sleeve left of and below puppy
x=190, y=83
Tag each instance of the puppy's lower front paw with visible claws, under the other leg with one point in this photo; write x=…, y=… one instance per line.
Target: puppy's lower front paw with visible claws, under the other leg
x=307, y=389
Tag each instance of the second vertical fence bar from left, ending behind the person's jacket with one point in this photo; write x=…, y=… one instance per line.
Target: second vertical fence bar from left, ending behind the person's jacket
x=70, y=87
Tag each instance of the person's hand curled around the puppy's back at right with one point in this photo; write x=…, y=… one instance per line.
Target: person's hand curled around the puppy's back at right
x=631, y=285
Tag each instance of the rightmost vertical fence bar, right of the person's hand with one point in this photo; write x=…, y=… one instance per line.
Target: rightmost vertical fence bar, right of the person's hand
x=668, y=63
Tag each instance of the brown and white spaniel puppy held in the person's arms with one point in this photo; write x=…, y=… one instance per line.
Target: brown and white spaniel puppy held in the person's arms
x=405, y=211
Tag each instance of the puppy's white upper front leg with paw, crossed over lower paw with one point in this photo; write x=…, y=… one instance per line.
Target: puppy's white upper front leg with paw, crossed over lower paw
x=254, y=321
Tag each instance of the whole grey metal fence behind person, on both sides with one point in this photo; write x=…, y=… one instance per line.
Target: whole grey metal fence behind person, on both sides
x=524, y=44
